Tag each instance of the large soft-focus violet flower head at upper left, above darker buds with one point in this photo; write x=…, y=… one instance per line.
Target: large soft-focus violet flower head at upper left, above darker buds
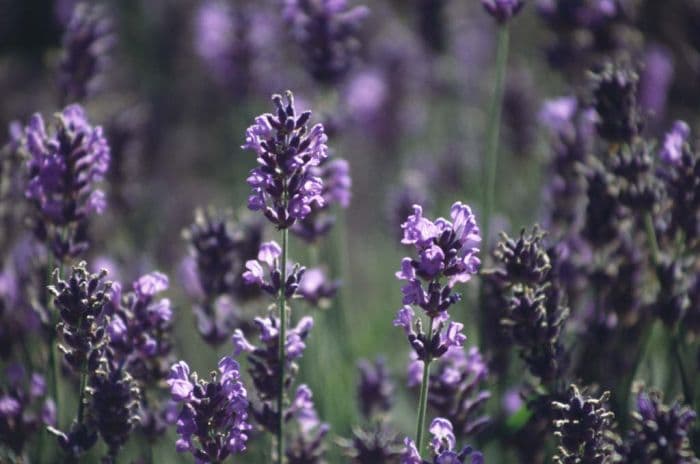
x=64, y=168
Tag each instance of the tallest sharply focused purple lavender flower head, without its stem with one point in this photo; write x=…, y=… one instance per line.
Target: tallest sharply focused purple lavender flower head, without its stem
x=283, y=185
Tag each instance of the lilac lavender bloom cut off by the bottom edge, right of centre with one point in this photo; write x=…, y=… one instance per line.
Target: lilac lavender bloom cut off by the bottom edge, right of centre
x=442, y=447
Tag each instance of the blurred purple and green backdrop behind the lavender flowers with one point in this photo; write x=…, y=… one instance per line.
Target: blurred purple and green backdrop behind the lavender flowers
x=180, y=80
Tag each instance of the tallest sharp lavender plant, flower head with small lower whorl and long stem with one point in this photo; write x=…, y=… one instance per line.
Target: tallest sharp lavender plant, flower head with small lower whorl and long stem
x=285, y=189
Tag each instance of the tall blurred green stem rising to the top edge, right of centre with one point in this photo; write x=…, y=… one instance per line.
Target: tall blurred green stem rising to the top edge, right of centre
x=493, y=131
